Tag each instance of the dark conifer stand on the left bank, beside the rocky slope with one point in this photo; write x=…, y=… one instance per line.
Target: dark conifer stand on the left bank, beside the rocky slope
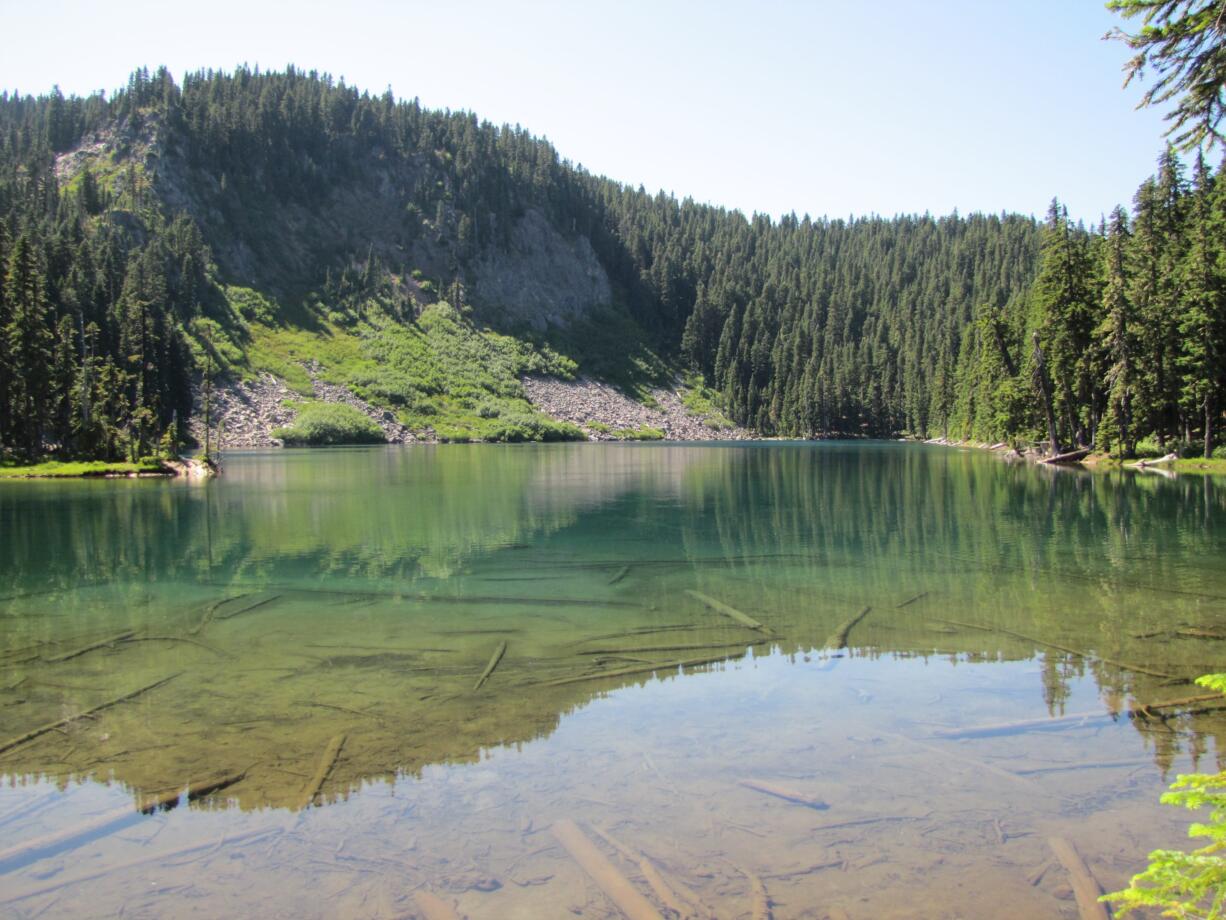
x=94, y=360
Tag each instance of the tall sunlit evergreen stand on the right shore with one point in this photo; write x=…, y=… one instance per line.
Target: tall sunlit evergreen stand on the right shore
x=1131, y=321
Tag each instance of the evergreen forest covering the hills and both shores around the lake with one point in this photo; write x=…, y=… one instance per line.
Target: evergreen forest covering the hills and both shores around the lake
x=153, y=237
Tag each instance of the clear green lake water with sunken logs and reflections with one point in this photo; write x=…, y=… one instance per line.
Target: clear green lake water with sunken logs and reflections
x=322, y=621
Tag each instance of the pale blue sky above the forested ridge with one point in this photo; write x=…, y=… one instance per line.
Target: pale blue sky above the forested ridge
x=828, y=109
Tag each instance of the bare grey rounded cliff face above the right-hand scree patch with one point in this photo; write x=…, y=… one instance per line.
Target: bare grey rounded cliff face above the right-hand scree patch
x=543, y=279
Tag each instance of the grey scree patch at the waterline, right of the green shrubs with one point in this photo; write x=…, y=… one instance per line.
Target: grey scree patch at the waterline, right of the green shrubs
x=587, y=402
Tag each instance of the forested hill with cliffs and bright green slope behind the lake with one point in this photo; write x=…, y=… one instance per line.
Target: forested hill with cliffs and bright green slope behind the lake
x=258, y=221
